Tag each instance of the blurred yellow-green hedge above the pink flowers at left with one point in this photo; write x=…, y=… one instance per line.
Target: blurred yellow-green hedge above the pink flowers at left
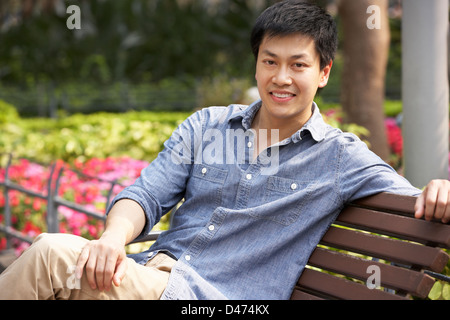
x=139, y=135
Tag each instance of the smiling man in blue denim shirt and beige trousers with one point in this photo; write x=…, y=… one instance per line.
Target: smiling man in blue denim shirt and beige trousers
x=261, y=184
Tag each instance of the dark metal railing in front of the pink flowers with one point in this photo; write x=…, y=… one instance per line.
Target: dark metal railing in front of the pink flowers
x=54, y=201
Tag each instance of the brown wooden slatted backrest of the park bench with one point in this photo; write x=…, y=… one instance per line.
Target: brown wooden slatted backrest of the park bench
x=376, y=241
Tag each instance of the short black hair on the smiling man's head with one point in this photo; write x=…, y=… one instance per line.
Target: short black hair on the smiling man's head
x=293, y=16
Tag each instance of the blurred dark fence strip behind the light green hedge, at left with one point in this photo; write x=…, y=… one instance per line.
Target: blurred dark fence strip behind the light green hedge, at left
x=47, y=100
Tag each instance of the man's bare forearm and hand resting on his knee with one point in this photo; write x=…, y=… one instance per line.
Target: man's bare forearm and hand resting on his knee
x=105, y=259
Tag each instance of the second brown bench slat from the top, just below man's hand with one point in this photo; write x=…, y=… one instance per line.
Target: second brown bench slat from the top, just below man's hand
x=396, y=225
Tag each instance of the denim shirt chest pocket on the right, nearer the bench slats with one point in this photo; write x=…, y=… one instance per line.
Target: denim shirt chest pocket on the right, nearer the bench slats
x=284, y=200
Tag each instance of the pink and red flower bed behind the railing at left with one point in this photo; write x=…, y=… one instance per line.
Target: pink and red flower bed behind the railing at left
x=85, y=184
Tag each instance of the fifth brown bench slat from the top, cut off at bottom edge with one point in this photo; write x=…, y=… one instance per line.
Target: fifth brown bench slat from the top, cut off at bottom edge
x=339, y=288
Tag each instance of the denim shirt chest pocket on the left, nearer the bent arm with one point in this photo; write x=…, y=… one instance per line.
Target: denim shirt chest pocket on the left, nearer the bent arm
x=205, y=189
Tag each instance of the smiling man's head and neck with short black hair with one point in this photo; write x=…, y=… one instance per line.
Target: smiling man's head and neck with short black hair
x=294, y=44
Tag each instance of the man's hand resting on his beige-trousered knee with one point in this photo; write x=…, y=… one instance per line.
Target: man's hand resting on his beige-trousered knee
x=105, y=263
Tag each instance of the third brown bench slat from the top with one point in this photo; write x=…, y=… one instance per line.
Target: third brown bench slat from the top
x=407, y=253
